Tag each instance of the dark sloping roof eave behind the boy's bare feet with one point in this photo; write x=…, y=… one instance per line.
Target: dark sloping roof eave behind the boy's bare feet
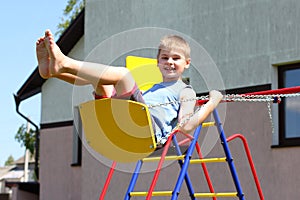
x=66, y=42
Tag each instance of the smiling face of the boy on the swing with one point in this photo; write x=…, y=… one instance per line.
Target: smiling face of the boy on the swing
x=172, y=64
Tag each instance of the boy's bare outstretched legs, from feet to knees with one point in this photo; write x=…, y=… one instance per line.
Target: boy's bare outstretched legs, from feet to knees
x=96, y=74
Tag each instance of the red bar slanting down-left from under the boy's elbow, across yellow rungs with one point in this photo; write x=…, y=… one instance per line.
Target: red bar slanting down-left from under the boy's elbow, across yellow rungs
x=160, y=163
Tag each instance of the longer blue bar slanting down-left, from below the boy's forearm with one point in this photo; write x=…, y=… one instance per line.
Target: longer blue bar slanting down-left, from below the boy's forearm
x=186, y=163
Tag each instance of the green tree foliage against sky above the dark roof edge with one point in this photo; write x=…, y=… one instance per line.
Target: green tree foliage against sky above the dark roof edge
x=73, y=8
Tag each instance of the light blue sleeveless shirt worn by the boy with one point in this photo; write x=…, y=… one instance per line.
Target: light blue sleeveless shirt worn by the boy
x=164, y=116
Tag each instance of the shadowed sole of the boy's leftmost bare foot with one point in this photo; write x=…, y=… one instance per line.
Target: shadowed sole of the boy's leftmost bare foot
x=43, y=58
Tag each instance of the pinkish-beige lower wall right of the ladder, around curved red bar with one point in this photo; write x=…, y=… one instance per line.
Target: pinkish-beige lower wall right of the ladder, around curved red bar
x=275, y=166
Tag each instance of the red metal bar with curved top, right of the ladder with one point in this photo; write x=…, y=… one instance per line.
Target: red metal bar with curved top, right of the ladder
x=250, y=160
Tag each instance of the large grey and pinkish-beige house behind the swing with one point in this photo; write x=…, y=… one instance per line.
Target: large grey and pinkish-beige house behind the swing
x=237, y=47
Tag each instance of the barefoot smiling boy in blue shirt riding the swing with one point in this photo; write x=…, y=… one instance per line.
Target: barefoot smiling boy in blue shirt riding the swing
x=117, y=82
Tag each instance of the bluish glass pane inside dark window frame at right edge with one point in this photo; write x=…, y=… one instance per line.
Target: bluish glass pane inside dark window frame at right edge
x=292, y=105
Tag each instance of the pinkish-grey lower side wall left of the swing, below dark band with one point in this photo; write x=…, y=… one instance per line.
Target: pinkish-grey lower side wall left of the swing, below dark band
x=58, y=180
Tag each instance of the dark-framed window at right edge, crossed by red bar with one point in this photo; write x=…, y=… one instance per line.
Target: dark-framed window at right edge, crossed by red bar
x=289, y=108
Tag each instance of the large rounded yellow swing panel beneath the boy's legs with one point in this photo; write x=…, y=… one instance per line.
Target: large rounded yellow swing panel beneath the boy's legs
x=120, y=130
